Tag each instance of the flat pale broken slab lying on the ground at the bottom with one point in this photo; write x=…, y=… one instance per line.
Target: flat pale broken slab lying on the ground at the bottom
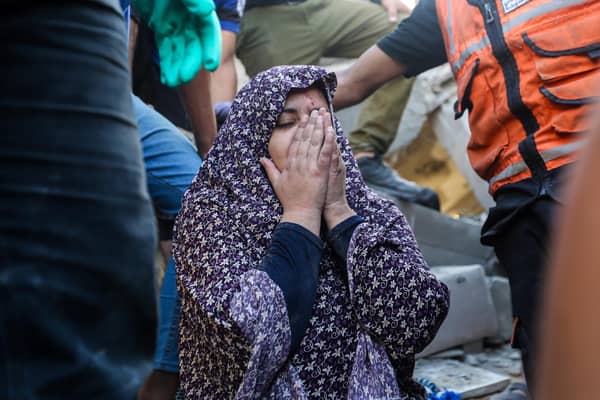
x=466, y=380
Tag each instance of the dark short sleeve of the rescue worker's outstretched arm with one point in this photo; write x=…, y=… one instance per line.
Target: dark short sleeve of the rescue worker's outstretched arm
x=417, y=42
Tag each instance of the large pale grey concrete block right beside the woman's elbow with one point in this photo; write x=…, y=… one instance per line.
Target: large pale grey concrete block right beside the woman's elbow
x=472, y=315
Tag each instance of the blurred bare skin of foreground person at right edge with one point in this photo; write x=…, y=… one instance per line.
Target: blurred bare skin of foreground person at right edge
x=570, y=323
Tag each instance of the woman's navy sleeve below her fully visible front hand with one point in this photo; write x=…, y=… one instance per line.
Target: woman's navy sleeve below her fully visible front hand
x=292, y=262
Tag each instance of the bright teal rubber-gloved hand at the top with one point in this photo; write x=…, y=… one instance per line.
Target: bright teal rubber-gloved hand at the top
x=188, y=36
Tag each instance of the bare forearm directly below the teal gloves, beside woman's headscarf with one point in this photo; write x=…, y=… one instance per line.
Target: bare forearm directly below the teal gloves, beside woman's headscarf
x=197, y=101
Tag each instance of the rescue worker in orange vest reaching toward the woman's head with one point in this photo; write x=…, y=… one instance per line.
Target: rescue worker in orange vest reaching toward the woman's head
x=527, y=72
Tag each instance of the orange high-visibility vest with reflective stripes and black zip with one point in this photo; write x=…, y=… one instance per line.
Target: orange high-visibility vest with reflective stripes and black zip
x=527, y=71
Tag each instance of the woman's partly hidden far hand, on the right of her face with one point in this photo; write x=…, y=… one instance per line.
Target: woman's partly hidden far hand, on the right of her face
x=336, y=208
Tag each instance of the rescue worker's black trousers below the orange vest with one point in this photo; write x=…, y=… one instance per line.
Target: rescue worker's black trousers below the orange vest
x=522, y=250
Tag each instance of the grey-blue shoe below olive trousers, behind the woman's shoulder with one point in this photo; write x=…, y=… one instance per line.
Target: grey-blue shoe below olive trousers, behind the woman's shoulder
x=388, y=183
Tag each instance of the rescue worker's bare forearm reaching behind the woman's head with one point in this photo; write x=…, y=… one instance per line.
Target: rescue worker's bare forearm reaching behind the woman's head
x=373, y=69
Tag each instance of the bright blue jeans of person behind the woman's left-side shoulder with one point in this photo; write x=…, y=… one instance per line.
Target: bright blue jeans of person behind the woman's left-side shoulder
x=171, y=164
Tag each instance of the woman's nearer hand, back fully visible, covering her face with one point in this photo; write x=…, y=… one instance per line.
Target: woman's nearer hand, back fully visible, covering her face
x=302, y=185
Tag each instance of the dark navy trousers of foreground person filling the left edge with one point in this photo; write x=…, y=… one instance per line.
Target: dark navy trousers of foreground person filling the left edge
x=77, y=235
